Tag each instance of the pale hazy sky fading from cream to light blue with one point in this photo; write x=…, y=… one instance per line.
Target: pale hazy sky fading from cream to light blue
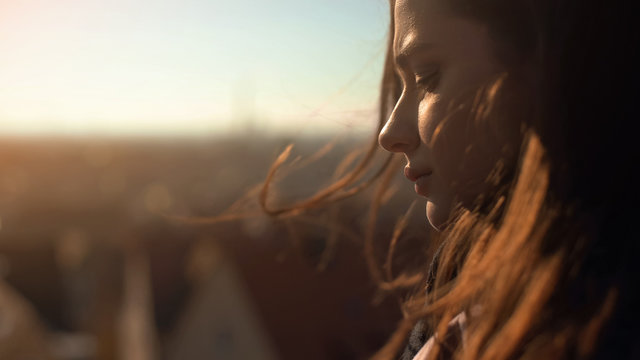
x=181, y=67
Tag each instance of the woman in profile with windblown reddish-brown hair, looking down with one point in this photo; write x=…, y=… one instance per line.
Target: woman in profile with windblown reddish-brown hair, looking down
x=515, y=120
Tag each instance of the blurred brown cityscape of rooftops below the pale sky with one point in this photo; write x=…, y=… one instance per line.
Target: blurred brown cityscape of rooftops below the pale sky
x=98, y=262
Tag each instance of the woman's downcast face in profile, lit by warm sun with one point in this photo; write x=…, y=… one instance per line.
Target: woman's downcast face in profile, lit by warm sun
x=443, y=61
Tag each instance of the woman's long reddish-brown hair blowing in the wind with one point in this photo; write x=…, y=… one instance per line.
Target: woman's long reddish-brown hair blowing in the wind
x=543, y=265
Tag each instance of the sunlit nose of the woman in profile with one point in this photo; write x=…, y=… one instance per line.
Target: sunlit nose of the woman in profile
x=400, y=133
